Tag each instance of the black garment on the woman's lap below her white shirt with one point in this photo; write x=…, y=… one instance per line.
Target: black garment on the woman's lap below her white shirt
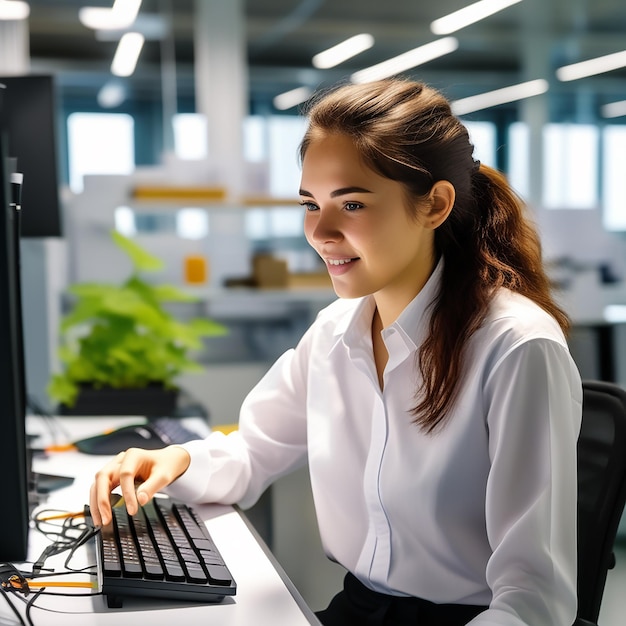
x=357, y=605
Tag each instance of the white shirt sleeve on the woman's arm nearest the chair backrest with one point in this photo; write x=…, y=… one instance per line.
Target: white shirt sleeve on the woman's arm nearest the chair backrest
x=534, y=408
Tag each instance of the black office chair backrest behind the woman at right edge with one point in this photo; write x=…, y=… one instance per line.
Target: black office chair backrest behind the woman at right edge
x=601, y=489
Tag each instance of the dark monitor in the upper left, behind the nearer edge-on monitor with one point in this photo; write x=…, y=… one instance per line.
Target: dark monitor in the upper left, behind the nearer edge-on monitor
x=28, y=117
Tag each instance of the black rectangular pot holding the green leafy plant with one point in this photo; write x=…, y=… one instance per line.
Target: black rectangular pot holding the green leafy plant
x=151, y=401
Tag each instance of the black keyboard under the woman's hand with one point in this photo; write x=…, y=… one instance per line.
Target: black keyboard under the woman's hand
x=164, y=551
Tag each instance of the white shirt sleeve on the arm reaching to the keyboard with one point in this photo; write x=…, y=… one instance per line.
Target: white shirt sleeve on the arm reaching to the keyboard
x=270, y=440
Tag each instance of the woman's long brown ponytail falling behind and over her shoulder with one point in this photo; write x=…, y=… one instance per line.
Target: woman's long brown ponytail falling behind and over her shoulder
x=492, y=245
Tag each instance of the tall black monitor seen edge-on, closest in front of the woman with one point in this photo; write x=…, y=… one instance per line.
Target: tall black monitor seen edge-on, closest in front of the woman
x=14, y=465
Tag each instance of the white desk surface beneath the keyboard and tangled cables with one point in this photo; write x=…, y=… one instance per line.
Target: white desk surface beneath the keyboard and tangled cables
x=265, y=596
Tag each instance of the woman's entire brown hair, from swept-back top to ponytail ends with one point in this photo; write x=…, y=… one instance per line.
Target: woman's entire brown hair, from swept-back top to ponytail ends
x=406, y=131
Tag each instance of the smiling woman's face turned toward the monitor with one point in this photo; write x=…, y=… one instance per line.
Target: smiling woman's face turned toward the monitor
x=358, y=222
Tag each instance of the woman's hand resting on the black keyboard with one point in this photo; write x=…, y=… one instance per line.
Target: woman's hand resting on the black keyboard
x=140, y=474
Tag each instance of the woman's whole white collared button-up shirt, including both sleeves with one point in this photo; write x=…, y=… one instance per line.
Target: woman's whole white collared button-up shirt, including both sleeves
x=483, y=511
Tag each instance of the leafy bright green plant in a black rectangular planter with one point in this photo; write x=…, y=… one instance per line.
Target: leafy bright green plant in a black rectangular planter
x=120, y=349
